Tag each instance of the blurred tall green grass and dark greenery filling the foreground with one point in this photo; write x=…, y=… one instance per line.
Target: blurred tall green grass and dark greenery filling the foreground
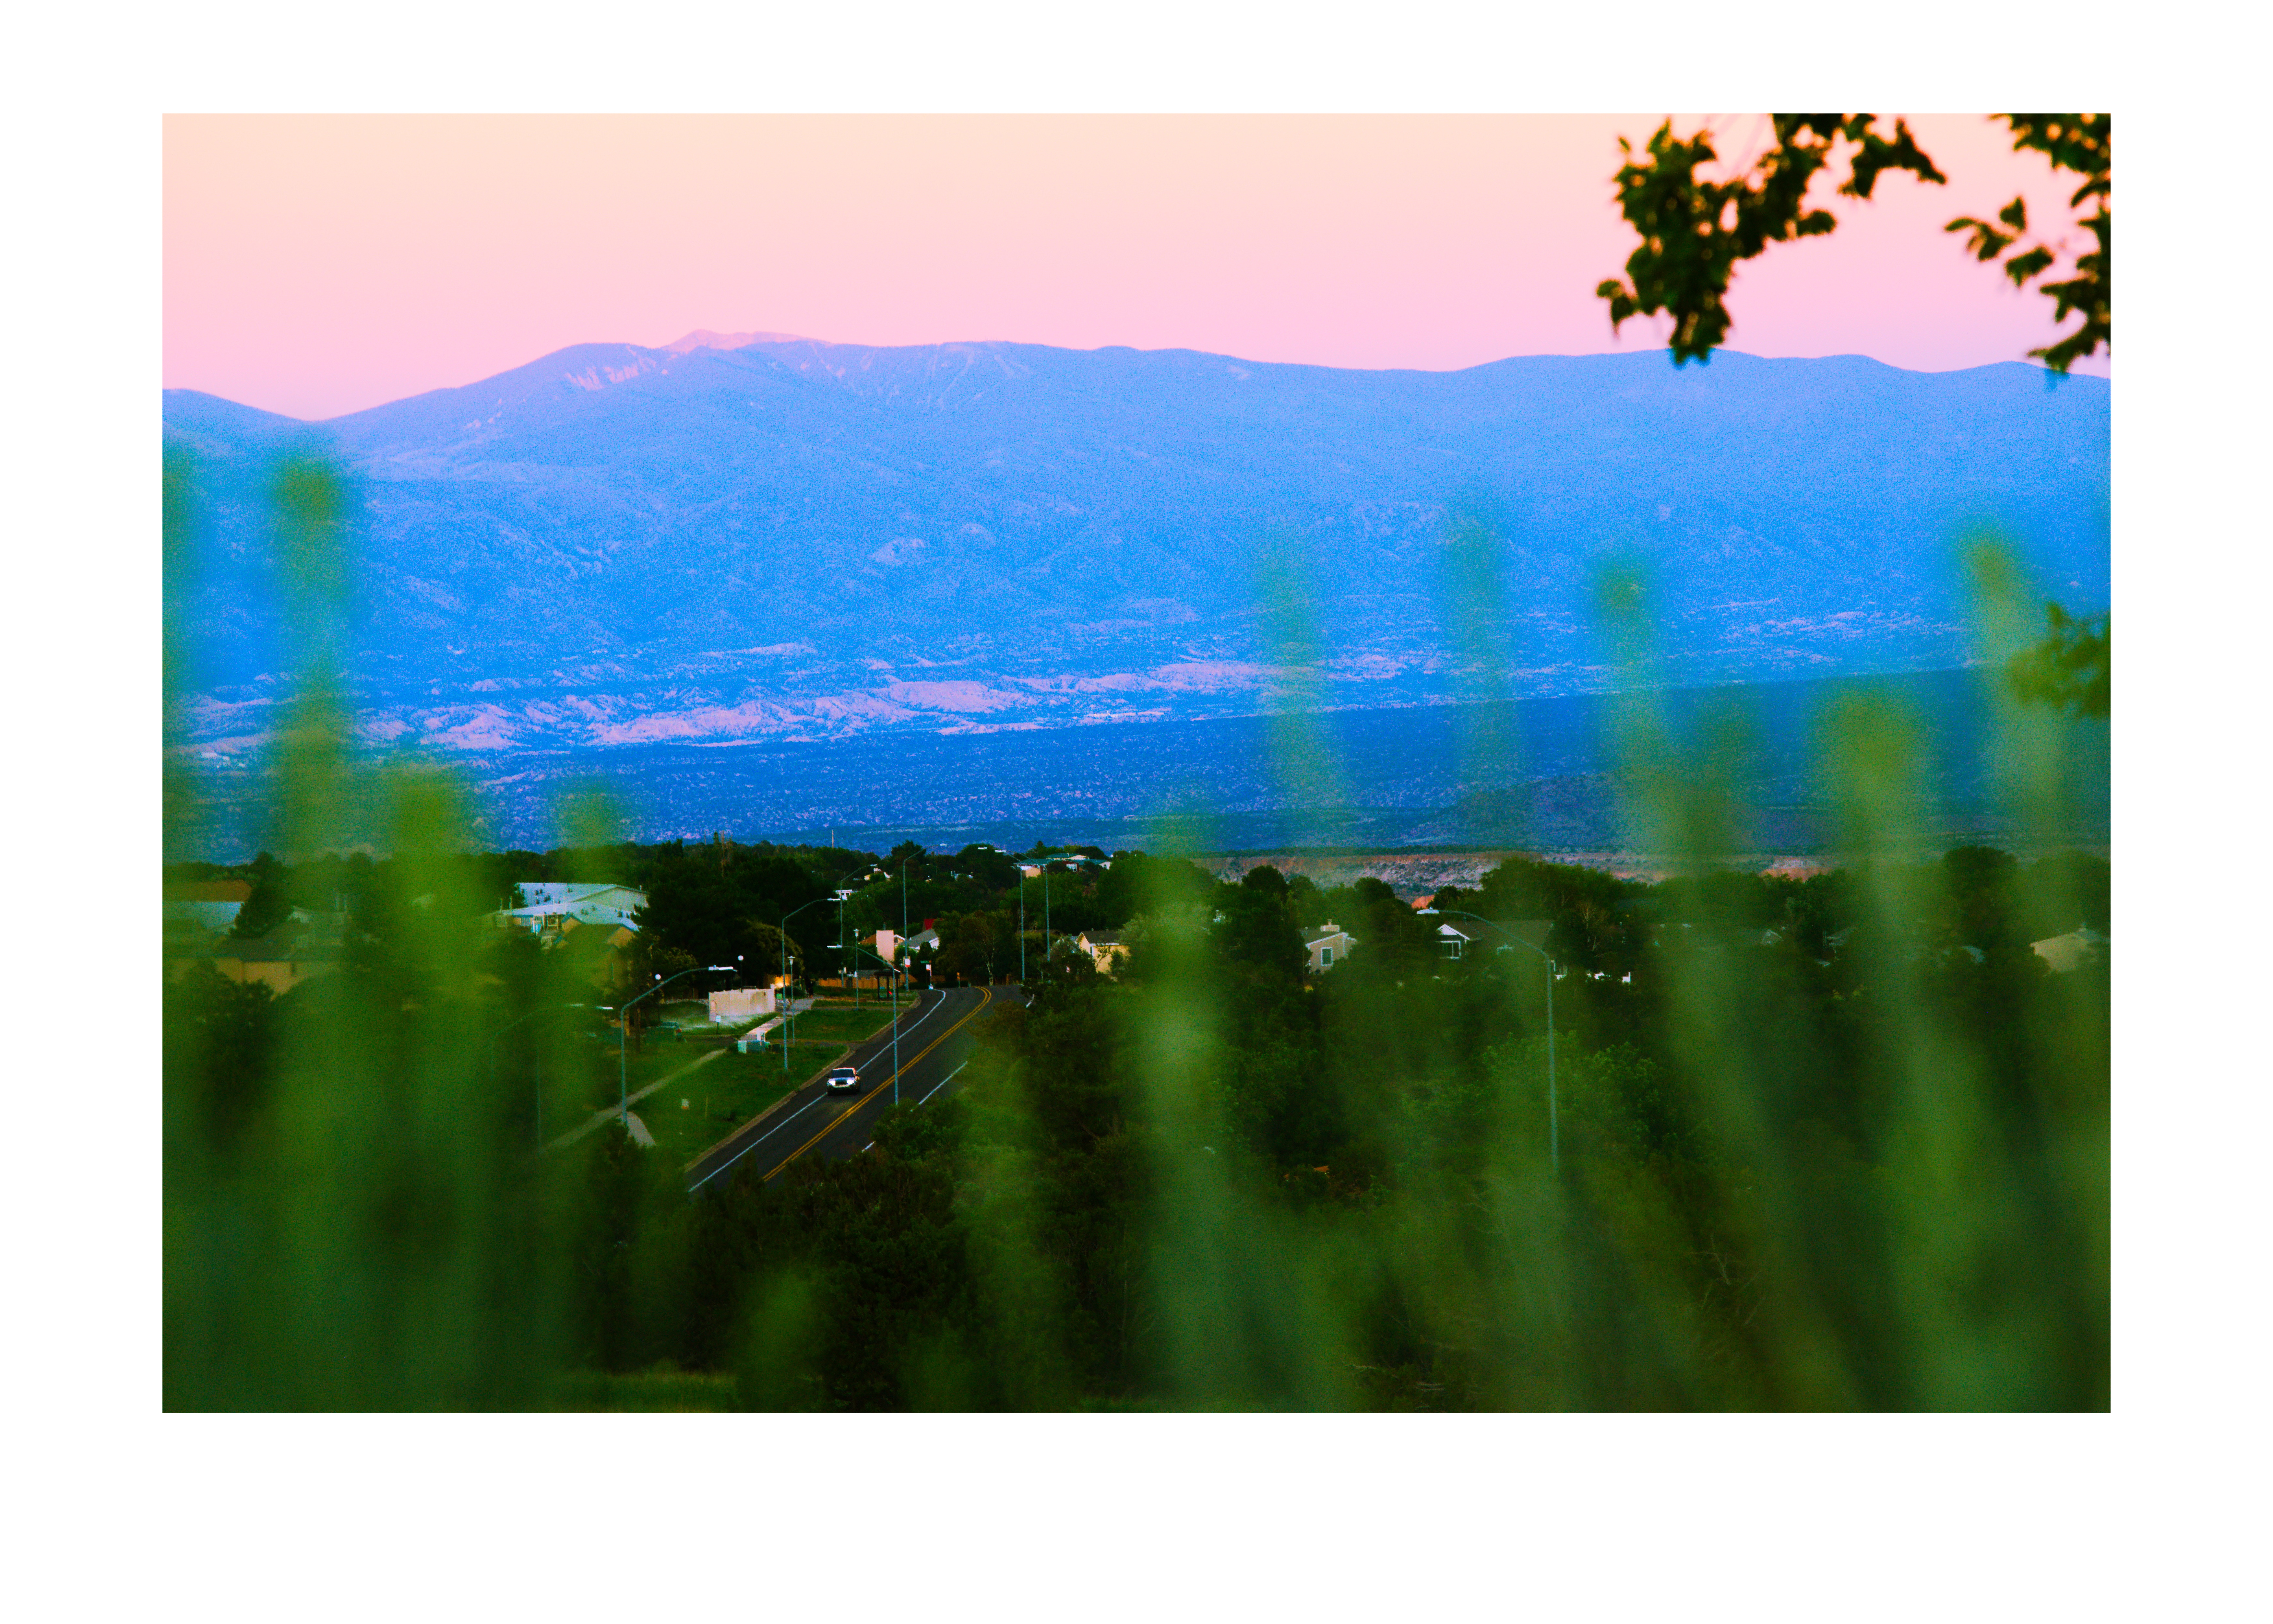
x=1776, y=1175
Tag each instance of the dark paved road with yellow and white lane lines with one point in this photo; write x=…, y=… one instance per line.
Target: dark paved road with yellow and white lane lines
x=935, y=1041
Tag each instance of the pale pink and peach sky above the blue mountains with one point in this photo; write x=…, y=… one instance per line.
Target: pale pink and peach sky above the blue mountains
x=326, y=265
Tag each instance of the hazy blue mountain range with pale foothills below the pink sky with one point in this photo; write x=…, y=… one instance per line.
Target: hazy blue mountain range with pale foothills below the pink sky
x=797, y=539
